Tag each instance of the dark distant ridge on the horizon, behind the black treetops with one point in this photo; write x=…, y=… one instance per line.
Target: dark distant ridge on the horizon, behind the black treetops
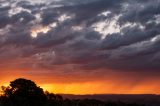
x=147, y=99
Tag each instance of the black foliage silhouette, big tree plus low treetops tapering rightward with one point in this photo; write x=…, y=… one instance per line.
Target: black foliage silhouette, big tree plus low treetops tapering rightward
x=23, y=92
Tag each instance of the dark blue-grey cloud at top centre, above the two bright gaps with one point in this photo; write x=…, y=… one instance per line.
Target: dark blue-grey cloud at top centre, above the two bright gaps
x=83, y=12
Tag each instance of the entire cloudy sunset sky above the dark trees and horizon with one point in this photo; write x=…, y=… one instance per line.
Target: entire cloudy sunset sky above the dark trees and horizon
x=82, y=46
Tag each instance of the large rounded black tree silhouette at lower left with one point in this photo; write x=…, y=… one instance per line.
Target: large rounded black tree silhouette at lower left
x=23, y=92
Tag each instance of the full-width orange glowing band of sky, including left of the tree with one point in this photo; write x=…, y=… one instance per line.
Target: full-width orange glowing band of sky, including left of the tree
x=112, y=85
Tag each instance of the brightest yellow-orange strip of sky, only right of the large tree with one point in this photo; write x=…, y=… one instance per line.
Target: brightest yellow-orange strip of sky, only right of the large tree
x=100, y=88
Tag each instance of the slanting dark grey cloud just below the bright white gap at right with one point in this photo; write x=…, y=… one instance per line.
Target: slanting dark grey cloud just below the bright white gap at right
x=129, y=36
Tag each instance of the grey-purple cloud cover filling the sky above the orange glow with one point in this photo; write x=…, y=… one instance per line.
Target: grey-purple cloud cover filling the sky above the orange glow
x=75, y=40
